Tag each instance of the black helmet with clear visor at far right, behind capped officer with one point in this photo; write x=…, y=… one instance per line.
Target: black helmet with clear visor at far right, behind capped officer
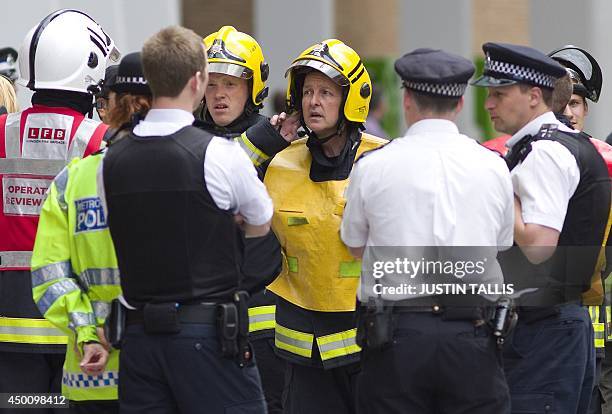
x=583, y=69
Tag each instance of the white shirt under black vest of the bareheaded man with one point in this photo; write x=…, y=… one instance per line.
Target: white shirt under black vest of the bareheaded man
x=229, y=174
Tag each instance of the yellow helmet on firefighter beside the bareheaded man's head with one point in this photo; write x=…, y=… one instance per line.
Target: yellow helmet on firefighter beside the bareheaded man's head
x=234, y=53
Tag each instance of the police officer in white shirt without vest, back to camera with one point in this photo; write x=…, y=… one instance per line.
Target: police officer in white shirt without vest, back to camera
x=437, y=357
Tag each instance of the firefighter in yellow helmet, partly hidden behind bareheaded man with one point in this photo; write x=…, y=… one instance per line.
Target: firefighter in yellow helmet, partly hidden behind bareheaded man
x=235, y=94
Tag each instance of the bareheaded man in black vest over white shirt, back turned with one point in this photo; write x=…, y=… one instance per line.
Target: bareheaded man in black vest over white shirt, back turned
x=174, y=195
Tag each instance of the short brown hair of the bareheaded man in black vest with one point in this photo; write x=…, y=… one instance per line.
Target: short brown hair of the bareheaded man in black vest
x=170, y=58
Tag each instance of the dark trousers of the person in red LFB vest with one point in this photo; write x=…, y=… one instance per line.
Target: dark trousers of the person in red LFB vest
x=31, y=373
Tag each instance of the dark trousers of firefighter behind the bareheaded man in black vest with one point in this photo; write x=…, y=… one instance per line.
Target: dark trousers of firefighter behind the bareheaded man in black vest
x=272, y=373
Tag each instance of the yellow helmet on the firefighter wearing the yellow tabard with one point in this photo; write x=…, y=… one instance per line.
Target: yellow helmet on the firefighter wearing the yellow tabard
x=341, y=64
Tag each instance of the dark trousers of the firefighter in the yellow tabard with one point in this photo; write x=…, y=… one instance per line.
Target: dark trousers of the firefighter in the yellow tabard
x=314, y=390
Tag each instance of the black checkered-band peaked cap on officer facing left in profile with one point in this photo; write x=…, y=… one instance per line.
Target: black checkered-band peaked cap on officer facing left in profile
x=507, y=64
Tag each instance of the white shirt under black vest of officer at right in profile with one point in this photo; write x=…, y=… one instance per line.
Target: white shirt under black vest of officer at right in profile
x=547, y=178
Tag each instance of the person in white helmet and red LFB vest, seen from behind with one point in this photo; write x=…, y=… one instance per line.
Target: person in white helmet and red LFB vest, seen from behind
x=35, y=144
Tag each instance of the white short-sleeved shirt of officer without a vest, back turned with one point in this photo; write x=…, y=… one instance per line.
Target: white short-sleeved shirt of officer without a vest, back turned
x=432, y=187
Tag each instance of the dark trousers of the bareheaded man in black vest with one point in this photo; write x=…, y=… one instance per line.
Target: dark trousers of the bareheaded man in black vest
x=184, y=373
